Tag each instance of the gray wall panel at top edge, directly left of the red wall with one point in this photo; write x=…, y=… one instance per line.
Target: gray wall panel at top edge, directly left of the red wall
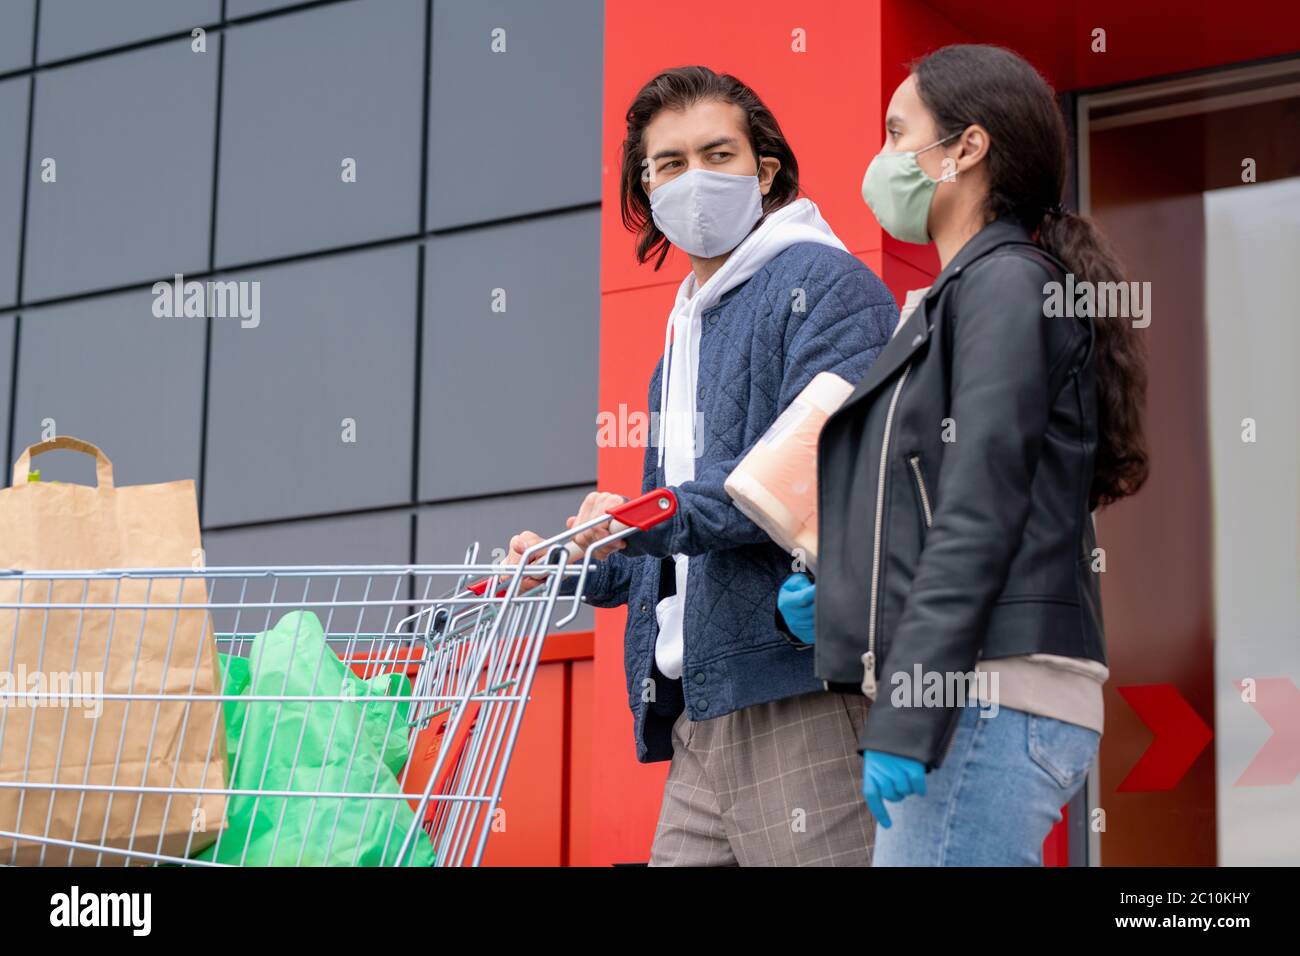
x=519, y=131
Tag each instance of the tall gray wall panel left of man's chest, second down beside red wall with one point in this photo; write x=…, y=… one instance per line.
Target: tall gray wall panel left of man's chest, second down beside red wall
x=509, y=399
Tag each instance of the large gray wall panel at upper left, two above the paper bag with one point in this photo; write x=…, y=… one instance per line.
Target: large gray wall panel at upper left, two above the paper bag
x=132, y=136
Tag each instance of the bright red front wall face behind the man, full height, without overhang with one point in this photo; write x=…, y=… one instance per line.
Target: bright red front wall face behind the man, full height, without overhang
x=827, y=101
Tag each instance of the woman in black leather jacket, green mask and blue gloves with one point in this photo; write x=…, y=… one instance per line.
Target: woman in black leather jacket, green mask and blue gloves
x=957, y=568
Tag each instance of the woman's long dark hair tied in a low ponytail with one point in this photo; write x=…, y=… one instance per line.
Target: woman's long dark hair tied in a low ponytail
x=1026, y=162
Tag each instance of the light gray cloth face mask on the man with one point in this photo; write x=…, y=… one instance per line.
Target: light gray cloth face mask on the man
x=707, y=214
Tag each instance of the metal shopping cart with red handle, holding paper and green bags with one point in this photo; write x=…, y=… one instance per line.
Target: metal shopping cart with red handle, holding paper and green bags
x=393, y=752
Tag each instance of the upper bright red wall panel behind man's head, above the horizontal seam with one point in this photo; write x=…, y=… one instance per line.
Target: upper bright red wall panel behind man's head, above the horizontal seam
x=820, y=97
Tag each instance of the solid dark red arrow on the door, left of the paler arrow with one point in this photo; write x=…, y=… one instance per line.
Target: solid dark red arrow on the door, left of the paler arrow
x=1181, y=736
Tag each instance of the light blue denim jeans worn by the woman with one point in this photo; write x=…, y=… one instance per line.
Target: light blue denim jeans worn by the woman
x=996, y=797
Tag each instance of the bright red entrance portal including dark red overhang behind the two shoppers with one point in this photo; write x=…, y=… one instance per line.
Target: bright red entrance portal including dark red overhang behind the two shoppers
x=830, y=102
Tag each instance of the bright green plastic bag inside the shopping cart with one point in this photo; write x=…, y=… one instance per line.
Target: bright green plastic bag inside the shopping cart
x=340, y=747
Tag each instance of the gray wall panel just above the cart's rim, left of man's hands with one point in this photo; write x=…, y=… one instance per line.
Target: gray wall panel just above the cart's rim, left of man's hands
x=444, y=533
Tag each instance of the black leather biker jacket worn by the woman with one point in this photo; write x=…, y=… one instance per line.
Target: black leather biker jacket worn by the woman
x=955, y=516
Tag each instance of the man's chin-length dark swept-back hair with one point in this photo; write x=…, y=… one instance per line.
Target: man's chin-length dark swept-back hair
x=679, y=89
